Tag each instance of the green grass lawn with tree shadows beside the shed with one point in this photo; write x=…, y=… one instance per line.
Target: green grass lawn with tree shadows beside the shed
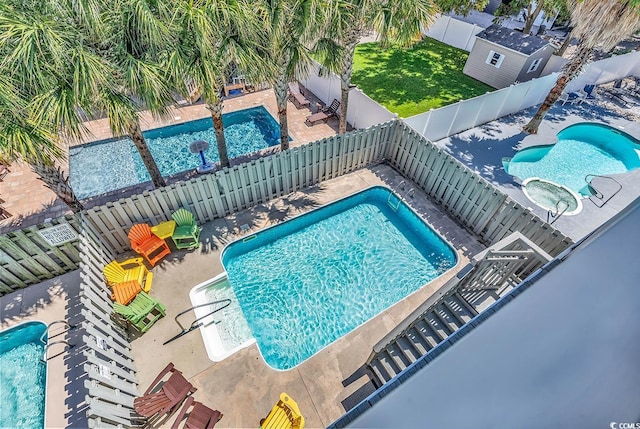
x=414, y=80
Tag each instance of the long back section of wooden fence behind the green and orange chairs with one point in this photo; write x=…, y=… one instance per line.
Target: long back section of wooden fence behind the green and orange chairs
x=230, y=190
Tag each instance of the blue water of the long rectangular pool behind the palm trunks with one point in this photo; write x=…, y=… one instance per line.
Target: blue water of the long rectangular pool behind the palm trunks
x=104, y=166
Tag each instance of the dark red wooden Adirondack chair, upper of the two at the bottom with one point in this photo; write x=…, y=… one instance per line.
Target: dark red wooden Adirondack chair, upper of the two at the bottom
x=163, y=399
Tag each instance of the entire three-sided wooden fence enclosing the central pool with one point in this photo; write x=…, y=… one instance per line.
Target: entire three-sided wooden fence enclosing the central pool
x=107, y=361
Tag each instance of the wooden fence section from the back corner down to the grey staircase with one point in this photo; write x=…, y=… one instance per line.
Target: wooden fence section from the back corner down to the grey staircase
x=477, y=204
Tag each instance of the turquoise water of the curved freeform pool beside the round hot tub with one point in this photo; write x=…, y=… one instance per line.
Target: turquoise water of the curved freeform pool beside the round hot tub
x=582, y=149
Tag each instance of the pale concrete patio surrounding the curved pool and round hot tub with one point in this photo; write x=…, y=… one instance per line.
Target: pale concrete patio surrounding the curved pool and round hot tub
x=482, y=149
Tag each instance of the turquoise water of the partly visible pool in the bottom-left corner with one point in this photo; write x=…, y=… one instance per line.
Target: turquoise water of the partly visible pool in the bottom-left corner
x=22, y=376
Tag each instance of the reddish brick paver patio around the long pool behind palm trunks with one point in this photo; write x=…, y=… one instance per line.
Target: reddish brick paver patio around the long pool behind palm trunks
x=25, y=197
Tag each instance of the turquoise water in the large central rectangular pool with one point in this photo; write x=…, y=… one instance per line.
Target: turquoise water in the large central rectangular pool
x=307, y=282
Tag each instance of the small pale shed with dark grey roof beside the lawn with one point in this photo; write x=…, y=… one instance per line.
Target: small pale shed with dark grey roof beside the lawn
x=501, y=56
